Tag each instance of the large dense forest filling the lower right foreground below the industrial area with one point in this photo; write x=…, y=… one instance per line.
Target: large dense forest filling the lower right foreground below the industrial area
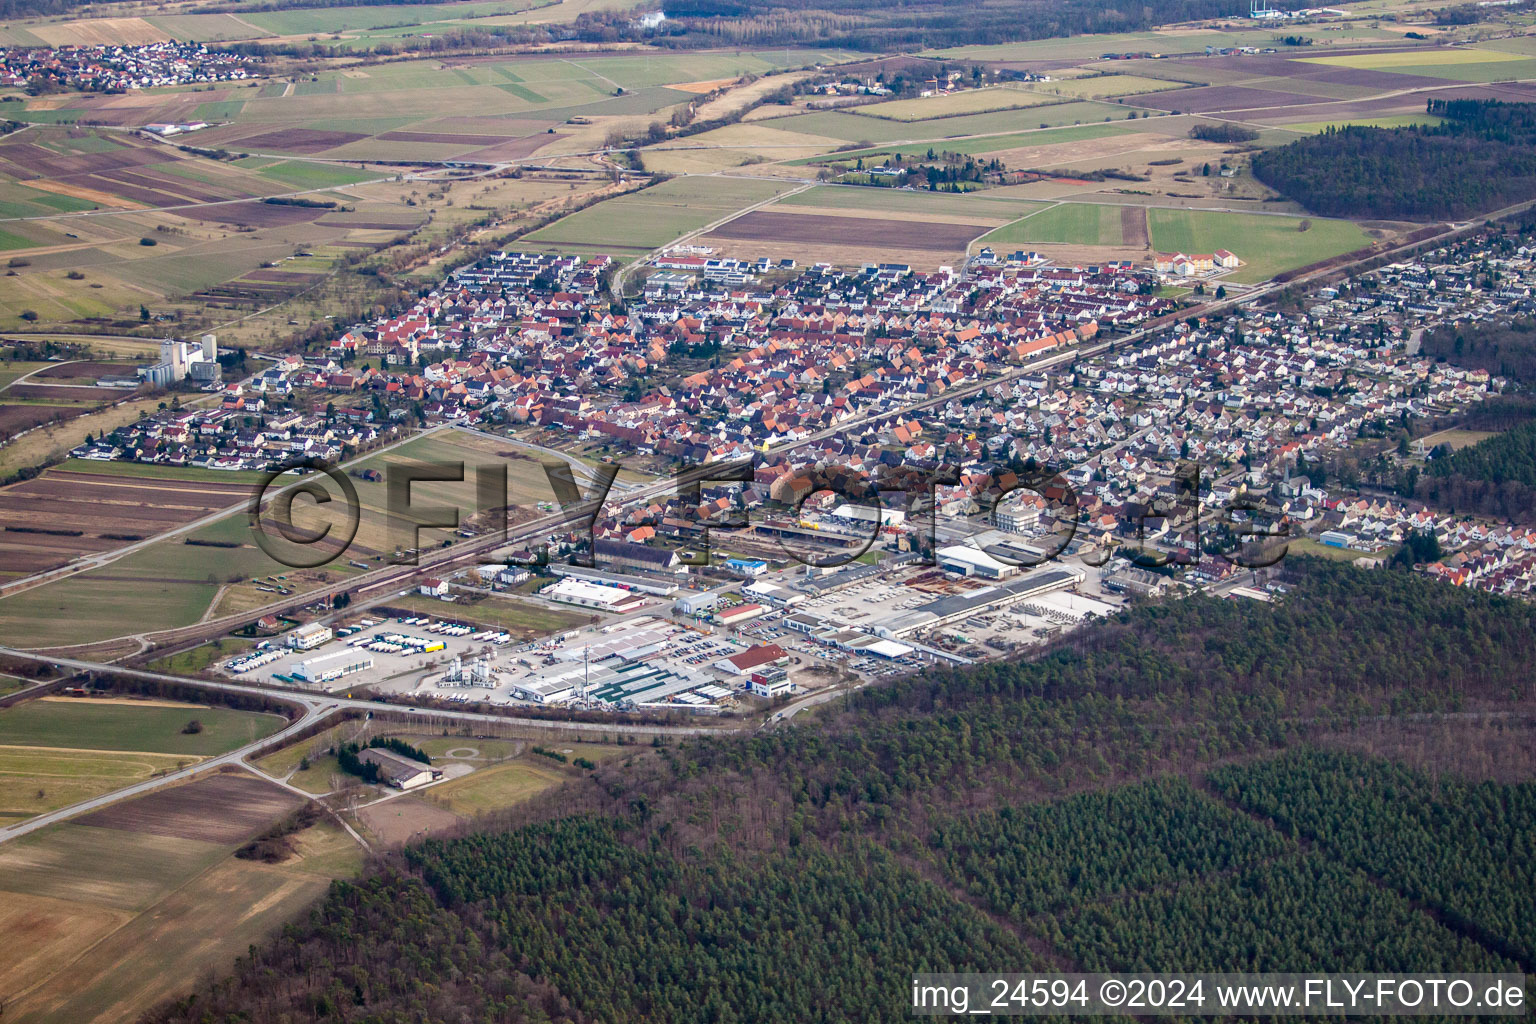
x=1153, y=791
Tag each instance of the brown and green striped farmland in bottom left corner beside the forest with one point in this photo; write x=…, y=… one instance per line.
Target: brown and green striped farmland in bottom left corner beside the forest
x=114, y=916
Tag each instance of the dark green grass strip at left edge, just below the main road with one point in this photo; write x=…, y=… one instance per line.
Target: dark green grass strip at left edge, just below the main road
x=131, y=727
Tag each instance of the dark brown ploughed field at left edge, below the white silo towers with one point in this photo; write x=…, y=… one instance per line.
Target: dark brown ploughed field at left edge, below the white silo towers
x=96, y=506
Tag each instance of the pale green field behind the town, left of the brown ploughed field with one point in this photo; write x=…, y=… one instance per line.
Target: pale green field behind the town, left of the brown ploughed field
x=654, y=217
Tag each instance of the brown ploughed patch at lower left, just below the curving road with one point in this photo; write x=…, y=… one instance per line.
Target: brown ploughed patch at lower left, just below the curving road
x=214, y=810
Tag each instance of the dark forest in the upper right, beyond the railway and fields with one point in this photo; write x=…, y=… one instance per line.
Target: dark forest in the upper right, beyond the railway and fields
x=1480, y=159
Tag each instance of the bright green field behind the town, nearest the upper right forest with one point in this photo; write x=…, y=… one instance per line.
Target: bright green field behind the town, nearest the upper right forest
x=1266, y=245
